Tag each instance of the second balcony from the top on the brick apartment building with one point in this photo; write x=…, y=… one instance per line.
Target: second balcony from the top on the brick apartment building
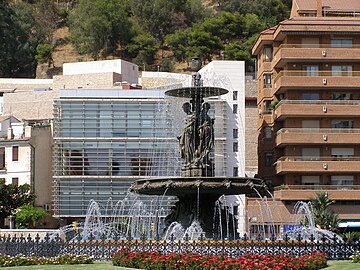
x=293, y=79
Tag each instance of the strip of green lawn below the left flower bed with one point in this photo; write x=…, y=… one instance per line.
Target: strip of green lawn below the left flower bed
x=95, y=266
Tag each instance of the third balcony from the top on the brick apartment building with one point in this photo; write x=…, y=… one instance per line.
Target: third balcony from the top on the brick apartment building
x=317, y=108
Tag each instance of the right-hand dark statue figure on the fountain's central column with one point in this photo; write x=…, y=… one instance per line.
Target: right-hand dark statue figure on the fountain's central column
x=206, y=133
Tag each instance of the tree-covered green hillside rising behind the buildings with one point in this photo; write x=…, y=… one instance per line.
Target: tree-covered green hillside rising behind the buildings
x=134, y=30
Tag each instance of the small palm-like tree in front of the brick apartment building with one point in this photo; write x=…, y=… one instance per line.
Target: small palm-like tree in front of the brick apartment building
x=324, y=216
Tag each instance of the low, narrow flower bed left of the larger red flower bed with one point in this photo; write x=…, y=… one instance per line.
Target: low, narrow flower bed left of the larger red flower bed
x=20, y=260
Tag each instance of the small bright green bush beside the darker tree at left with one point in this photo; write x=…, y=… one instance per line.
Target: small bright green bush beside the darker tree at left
x=26, y=216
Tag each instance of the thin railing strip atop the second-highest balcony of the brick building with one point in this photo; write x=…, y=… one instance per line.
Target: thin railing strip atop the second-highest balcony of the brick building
x=322, y=73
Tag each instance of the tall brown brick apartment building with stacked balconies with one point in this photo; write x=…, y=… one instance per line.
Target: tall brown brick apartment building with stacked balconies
x=308, y=104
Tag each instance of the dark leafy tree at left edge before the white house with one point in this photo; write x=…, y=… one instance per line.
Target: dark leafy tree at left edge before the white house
x=12, y=197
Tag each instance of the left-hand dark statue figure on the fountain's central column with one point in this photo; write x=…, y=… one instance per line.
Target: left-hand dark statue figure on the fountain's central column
x=186, y=140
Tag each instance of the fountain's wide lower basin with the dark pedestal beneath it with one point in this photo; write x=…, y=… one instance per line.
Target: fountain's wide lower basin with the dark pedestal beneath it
x=197, y=196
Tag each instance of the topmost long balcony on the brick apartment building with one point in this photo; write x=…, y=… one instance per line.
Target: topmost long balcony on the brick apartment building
x=314, y=53
